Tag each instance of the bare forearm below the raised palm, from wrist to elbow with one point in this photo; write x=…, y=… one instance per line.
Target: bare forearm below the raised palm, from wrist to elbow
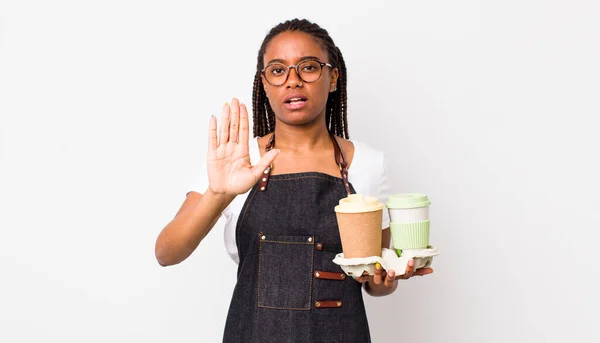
x=196, y=217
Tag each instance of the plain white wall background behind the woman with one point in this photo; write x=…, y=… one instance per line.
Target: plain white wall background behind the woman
x=487, y=106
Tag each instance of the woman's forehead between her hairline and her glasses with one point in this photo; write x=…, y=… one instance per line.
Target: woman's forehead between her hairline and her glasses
x=291, y=46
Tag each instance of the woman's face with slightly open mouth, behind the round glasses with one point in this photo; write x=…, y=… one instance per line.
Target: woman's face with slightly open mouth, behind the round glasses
x=297, y=102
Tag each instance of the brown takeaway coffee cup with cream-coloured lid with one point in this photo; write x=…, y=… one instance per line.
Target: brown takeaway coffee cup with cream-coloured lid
x=359, y=220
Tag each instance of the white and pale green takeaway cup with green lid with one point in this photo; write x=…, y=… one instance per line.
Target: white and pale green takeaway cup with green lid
x=409, y=220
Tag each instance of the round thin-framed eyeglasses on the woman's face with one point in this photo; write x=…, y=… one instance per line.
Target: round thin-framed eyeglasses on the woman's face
x=309, y=71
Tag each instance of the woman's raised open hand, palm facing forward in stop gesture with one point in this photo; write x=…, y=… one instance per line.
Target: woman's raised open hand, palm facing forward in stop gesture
x=229, y=169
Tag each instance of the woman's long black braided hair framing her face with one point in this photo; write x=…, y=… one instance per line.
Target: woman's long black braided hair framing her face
x=337, y=106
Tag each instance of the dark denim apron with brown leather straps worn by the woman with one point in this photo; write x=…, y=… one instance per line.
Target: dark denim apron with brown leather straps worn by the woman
x=288, y=289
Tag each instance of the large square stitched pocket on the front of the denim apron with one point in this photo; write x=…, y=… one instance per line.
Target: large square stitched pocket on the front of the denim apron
x=285, y=272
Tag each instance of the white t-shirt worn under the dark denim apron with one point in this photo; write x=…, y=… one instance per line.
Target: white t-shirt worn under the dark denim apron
x=367, y=174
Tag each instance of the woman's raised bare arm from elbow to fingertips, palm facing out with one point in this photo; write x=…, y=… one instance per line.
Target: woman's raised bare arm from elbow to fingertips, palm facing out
x=229, y=172
